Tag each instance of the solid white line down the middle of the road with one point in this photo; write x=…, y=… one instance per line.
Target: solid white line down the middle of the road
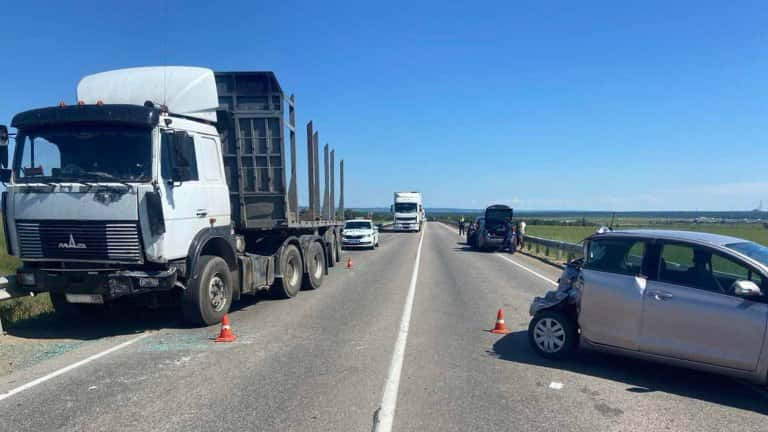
x=386, y=413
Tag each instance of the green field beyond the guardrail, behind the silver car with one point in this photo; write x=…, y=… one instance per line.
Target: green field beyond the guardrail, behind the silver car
x=753, y=231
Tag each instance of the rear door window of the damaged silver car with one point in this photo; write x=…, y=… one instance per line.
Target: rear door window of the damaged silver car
x=622, y=256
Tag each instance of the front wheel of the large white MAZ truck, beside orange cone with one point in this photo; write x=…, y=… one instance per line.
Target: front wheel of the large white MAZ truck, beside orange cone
x=208, y=297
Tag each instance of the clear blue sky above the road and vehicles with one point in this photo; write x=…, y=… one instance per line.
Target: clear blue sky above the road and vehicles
x=542, y=105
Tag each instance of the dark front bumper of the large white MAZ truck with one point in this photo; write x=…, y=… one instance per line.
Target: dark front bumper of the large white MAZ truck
x=109, y=284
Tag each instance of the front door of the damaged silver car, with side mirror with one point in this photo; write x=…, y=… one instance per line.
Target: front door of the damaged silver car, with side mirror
x=691, y=313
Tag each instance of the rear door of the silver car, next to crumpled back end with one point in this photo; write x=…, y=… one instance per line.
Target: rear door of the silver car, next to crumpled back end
x=612, y=286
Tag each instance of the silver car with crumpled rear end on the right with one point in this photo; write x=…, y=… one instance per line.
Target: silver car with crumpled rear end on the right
x=690, y=299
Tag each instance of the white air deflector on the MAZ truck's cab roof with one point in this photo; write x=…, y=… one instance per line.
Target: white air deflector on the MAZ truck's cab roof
x=189, y=91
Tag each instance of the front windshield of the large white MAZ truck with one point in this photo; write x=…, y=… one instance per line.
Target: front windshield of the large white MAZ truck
x=83, y=153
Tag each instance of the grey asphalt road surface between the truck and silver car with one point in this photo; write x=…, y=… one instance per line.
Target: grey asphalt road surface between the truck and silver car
x=320, y=362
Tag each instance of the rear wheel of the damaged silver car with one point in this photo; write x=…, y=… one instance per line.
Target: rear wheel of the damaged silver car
x=553, y=334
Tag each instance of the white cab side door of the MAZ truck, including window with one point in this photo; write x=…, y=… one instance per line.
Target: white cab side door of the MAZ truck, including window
x=186, y=202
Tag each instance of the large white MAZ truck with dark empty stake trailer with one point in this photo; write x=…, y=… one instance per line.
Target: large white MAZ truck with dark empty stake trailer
x=167, y=185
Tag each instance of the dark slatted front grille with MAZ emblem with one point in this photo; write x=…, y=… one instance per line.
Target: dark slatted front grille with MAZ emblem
x=89, y=240
